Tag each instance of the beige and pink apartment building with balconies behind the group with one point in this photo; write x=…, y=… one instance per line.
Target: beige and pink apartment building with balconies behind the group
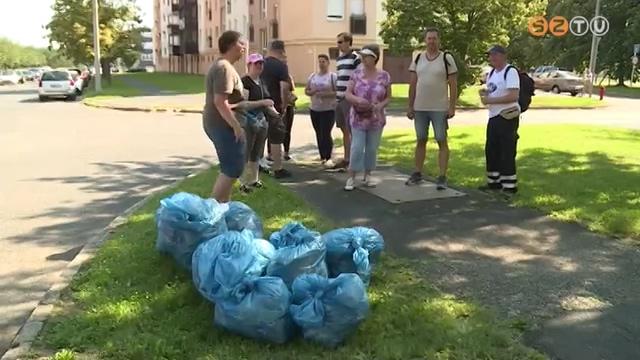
x=308, y=27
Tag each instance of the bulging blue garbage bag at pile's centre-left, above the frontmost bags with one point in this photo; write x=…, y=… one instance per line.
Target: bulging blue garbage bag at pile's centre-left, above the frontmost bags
x=222, y=263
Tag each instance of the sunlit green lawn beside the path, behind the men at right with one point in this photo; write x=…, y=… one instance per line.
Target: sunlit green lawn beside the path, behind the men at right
x=575, y=173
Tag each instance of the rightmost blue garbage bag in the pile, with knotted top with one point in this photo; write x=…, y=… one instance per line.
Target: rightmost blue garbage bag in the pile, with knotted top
x=353, y=250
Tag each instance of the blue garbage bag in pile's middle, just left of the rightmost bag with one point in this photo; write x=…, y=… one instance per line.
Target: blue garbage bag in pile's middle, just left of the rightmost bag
x=298, y=251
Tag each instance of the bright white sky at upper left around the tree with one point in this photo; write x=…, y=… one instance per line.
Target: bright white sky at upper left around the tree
x=22, y=21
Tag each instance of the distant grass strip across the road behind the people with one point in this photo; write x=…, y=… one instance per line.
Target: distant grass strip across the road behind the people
x=194, y=84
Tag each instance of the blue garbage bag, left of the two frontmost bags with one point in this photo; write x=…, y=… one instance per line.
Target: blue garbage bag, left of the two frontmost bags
x=258, y=308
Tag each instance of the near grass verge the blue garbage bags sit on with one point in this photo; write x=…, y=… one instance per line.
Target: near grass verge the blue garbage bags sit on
x=132, y=303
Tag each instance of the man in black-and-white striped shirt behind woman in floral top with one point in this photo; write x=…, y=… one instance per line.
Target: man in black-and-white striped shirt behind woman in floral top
x=346, y=64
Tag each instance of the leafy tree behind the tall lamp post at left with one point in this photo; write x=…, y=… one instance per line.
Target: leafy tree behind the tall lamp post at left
x=71, y=30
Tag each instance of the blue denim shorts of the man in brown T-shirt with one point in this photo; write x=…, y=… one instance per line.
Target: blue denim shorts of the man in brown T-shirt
x=231, y=153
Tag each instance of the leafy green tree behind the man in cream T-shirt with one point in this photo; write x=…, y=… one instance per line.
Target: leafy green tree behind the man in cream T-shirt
x=467, y=27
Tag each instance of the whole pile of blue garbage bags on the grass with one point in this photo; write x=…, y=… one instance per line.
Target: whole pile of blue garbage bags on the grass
x=296, y=282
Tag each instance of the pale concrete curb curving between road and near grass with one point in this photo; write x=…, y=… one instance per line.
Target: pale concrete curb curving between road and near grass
x=23, y=341
